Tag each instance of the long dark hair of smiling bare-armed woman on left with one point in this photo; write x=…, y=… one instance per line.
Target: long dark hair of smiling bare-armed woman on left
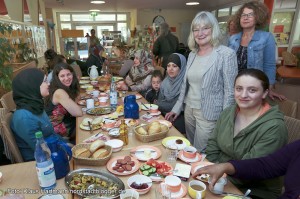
x=72, y=90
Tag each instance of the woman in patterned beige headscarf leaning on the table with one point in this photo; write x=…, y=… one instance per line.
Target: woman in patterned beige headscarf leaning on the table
x=139, y=77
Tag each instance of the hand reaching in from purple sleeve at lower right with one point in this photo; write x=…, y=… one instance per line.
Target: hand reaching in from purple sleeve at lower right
x=215, y=172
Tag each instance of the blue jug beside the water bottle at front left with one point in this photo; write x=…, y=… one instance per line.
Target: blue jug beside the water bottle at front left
x=61, y=154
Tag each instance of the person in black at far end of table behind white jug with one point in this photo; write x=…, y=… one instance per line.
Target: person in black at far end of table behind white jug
x=95, y=58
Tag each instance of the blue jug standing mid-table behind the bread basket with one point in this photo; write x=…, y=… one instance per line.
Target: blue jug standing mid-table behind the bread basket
x=131, y=108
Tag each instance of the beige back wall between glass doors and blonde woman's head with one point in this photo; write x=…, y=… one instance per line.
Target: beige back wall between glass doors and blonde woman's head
x=175, y=18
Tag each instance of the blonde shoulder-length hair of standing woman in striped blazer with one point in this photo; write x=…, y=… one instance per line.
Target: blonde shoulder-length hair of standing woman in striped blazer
x=207, y=19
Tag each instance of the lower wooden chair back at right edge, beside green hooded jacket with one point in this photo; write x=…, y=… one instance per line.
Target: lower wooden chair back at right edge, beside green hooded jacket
x=293, y=126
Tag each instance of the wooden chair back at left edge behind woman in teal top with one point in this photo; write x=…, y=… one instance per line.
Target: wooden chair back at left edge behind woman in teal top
x=11, y=149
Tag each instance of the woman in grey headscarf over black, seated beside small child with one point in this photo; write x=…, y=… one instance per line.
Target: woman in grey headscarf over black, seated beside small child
x=170, y=88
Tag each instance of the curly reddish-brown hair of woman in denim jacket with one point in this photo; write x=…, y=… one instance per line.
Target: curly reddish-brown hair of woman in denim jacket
x=260, y=11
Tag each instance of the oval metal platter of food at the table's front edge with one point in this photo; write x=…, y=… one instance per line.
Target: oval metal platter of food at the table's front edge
x=91, y=183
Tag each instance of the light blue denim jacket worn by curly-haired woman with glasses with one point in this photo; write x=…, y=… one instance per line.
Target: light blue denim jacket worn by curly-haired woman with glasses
x=261, y=52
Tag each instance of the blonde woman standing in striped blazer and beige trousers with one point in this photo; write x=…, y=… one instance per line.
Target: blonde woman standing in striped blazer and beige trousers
x=207, y=88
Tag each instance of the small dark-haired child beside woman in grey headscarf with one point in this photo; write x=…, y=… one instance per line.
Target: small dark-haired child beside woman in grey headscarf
x=151, y=95
